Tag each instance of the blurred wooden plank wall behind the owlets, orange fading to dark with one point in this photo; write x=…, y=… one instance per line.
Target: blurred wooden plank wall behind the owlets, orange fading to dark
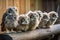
x=25, y=5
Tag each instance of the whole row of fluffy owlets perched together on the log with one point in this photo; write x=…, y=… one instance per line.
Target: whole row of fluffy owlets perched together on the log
x=26, y=22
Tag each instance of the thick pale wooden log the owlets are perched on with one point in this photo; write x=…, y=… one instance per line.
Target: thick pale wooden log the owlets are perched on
x=36, y=34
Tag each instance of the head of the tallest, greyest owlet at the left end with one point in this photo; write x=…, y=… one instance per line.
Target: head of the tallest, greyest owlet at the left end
x=12, y=13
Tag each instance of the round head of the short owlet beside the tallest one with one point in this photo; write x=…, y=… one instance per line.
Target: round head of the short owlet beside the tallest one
x=23, y=19
